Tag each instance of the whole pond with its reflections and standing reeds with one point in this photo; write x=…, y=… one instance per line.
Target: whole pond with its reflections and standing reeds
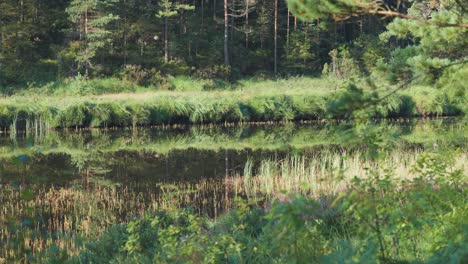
x=64, y=184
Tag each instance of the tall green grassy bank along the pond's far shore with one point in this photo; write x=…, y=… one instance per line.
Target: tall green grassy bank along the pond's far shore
x=285, y=100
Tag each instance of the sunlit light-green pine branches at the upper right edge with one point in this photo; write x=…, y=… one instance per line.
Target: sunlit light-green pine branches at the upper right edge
x=433, y=47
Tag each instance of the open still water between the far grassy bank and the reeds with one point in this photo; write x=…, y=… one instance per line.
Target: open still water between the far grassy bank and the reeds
x=189, y=153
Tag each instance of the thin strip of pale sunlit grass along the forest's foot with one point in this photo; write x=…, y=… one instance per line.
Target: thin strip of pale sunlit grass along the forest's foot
x=84, y=87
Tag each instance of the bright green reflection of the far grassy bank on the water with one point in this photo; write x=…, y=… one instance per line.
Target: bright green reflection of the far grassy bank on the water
x=265, y=137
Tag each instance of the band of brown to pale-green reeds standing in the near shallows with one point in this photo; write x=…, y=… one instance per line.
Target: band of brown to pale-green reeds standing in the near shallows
x=46, y=216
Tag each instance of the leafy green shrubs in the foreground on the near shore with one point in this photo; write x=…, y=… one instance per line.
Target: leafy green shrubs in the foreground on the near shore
x=379, y=219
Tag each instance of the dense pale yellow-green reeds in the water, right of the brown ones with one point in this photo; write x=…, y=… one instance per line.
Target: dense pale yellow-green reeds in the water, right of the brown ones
x=327, y=173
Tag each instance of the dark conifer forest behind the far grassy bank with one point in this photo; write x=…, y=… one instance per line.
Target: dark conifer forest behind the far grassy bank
x=47, y=42
